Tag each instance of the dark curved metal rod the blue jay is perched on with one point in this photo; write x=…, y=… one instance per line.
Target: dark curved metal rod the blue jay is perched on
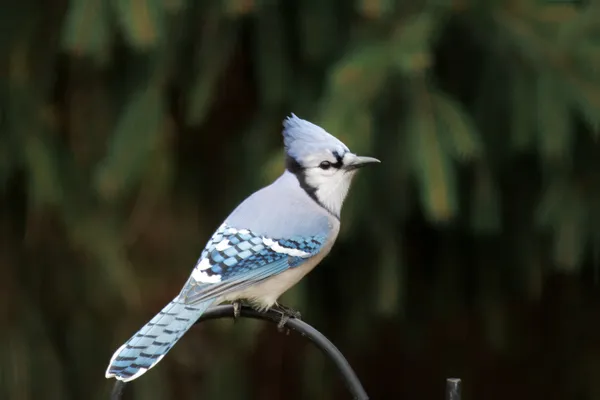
x=317, y=338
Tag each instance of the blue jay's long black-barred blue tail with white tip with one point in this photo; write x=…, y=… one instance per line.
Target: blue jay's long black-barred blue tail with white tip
x=150, y=344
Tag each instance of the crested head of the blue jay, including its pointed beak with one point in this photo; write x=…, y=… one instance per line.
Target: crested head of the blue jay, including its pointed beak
x=323, y=164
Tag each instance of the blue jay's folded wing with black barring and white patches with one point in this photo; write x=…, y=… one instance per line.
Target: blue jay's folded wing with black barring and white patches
x=237, y=258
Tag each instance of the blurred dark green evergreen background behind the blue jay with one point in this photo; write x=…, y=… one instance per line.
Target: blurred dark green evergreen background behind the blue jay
x=130, y=128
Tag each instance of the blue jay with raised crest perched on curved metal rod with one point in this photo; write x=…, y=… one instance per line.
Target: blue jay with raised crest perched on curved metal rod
x=268, y=243
